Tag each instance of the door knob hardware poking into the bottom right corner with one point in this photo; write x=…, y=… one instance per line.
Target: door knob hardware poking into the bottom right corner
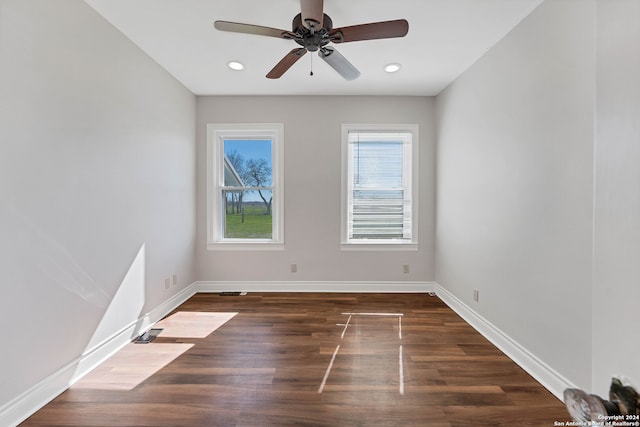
x=583, y=407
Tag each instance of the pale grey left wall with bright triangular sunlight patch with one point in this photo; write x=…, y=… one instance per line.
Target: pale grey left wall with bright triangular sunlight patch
x=97, y=186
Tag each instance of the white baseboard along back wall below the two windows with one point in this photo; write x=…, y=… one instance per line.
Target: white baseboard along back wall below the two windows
x=358, y=287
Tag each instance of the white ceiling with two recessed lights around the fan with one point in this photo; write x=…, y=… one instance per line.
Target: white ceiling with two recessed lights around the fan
x=445, y=37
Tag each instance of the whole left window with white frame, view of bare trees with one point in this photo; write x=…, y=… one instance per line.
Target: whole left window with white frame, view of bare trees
x=245, y=186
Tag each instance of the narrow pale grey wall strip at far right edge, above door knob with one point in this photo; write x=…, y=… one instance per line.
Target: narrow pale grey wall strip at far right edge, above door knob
x=616, y=294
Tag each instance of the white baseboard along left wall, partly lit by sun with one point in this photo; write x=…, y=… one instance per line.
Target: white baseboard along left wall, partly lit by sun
x=27, y=403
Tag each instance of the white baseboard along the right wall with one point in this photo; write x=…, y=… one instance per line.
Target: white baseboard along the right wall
x=543, y=373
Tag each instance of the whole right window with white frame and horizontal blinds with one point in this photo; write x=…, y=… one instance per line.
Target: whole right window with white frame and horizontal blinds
x=379, y=180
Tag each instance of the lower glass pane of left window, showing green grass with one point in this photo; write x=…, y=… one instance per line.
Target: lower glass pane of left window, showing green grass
x=247, y=214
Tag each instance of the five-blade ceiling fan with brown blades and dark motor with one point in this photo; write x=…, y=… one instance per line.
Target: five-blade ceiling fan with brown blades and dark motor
x=313, y=30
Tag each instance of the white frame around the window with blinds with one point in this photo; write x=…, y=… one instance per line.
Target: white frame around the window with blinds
x=411, y=148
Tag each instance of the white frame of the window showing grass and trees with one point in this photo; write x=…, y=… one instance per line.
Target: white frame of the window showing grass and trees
x=216, y=133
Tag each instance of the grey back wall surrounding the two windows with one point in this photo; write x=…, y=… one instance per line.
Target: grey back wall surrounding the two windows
x=312, y=190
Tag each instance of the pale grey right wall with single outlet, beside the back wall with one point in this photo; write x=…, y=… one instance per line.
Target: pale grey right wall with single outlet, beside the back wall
x=515, y=184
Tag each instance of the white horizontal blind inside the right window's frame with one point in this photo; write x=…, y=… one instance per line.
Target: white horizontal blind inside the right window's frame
x=379, y=186
